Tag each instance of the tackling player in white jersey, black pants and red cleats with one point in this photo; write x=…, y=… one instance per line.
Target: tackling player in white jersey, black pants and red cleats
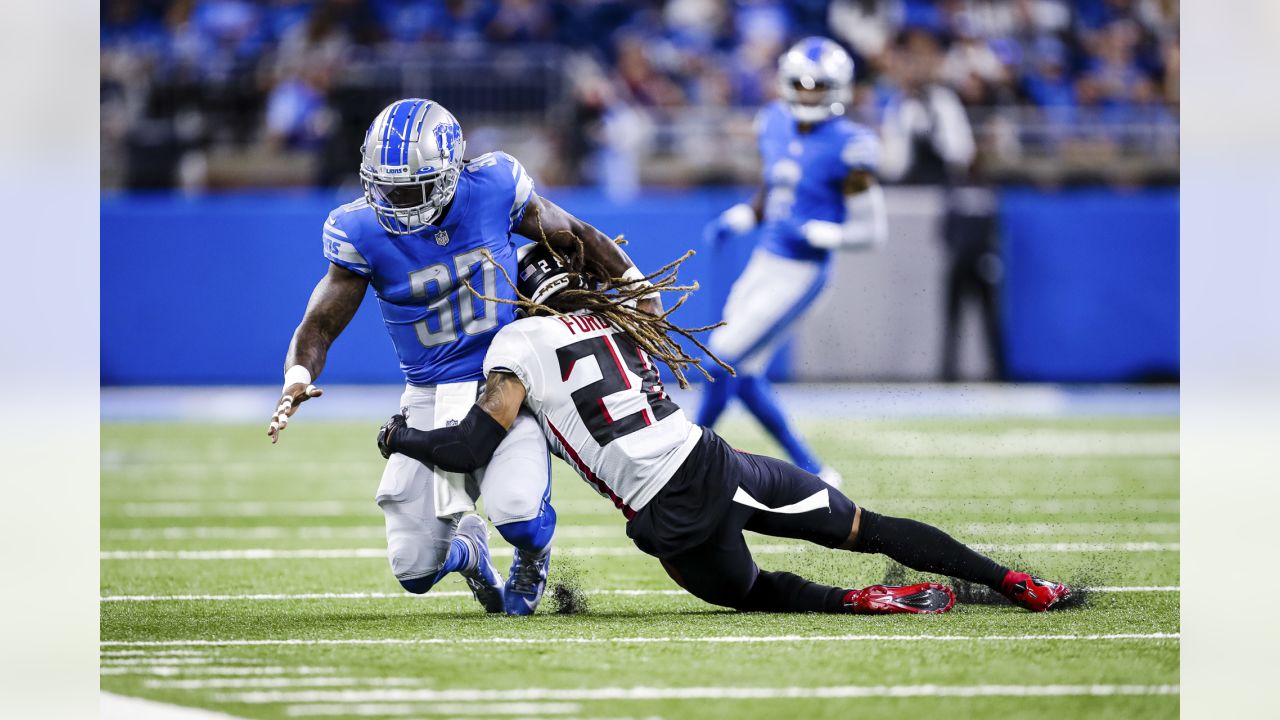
x=587, y=370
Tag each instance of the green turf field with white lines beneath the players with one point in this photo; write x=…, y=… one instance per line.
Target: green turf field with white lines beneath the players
x=226, y=562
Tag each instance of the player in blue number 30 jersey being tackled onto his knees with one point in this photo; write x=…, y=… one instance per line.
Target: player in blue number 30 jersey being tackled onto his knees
x=428, y=226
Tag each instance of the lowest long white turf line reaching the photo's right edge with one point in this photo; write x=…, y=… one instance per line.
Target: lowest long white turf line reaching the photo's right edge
x=643, y=694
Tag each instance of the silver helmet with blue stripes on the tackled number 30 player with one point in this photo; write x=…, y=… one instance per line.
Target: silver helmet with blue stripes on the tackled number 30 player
x=412, y=160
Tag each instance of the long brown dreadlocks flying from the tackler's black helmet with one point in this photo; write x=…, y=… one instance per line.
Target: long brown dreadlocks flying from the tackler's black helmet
x=615, y=300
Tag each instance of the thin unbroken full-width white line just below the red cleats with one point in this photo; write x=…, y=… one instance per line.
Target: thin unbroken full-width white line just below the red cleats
x=728, y=640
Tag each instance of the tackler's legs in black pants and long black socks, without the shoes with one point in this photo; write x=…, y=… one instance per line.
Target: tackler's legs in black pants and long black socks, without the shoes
x=778, y=499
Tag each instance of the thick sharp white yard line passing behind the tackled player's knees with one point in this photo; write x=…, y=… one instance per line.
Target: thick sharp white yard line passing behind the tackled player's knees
x=381, y=554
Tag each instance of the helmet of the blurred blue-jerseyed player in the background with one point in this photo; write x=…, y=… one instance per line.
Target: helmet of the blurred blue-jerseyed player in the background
x=816, y=79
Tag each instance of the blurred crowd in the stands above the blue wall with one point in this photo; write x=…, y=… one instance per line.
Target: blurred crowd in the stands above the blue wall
x=202, y=94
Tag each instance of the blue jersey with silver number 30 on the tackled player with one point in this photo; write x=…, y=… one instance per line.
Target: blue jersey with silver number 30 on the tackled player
x=440, y=329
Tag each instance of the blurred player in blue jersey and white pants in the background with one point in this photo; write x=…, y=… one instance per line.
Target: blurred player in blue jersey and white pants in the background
x=820, y=195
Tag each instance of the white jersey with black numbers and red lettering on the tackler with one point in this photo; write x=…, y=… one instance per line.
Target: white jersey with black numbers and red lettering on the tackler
x=600, y=402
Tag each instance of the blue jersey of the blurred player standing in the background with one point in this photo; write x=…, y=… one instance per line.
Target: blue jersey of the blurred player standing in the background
x=804, y=175
